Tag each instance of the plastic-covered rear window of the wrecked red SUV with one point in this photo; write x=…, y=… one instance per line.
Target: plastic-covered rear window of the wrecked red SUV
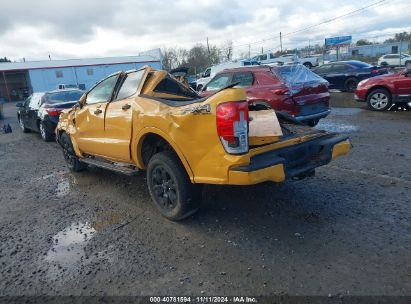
x=297, y=74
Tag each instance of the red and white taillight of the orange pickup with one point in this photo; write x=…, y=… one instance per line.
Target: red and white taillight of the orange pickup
x=232, y=126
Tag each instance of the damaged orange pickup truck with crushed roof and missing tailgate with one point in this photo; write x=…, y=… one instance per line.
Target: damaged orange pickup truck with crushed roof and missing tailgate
x=147, y=120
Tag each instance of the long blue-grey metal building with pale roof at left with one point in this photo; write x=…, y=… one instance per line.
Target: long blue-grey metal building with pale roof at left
x=19, y=79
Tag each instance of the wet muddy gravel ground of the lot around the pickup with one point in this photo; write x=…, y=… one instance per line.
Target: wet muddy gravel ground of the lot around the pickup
x=346, y=231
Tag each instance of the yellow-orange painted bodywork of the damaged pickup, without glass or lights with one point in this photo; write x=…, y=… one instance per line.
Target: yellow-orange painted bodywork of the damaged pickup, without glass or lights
x=117, y=134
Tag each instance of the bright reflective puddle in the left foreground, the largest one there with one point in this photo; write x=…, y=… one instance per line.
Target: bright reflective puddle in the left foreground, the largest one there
x=68, y=244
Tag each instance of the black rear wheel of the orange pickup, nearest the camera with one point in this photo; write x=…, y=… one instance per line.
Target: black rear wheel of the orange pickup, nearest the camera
x=170, y=187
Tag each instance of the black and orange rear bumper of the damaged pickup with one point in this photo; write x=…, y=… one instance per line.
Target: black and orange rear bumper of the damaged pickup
x=289, y=162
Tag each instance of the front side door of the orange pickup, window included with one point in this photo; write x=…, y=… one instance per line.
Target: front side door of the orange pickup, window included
x=89, y=120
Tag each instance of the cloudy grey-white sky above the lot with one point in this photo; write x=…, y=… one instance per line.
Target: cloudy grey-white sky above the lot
x=96, y=28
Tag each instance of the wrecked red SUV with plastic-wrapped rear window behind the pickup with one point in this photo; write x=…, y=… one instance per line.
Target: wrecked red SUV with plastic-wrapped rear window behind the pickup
x=290, y=88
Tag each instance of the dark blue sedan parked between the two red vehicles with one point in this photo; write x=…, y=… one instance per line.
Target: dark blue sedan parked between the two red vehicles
x=345, y=75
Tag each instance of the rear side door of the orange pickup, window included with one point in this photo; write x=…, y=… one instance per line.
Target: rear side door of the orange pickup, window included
x=119, y=118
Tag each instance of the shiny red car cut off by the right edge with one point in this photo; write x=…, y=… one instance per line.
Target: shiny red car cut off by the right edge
x=382, y=92
